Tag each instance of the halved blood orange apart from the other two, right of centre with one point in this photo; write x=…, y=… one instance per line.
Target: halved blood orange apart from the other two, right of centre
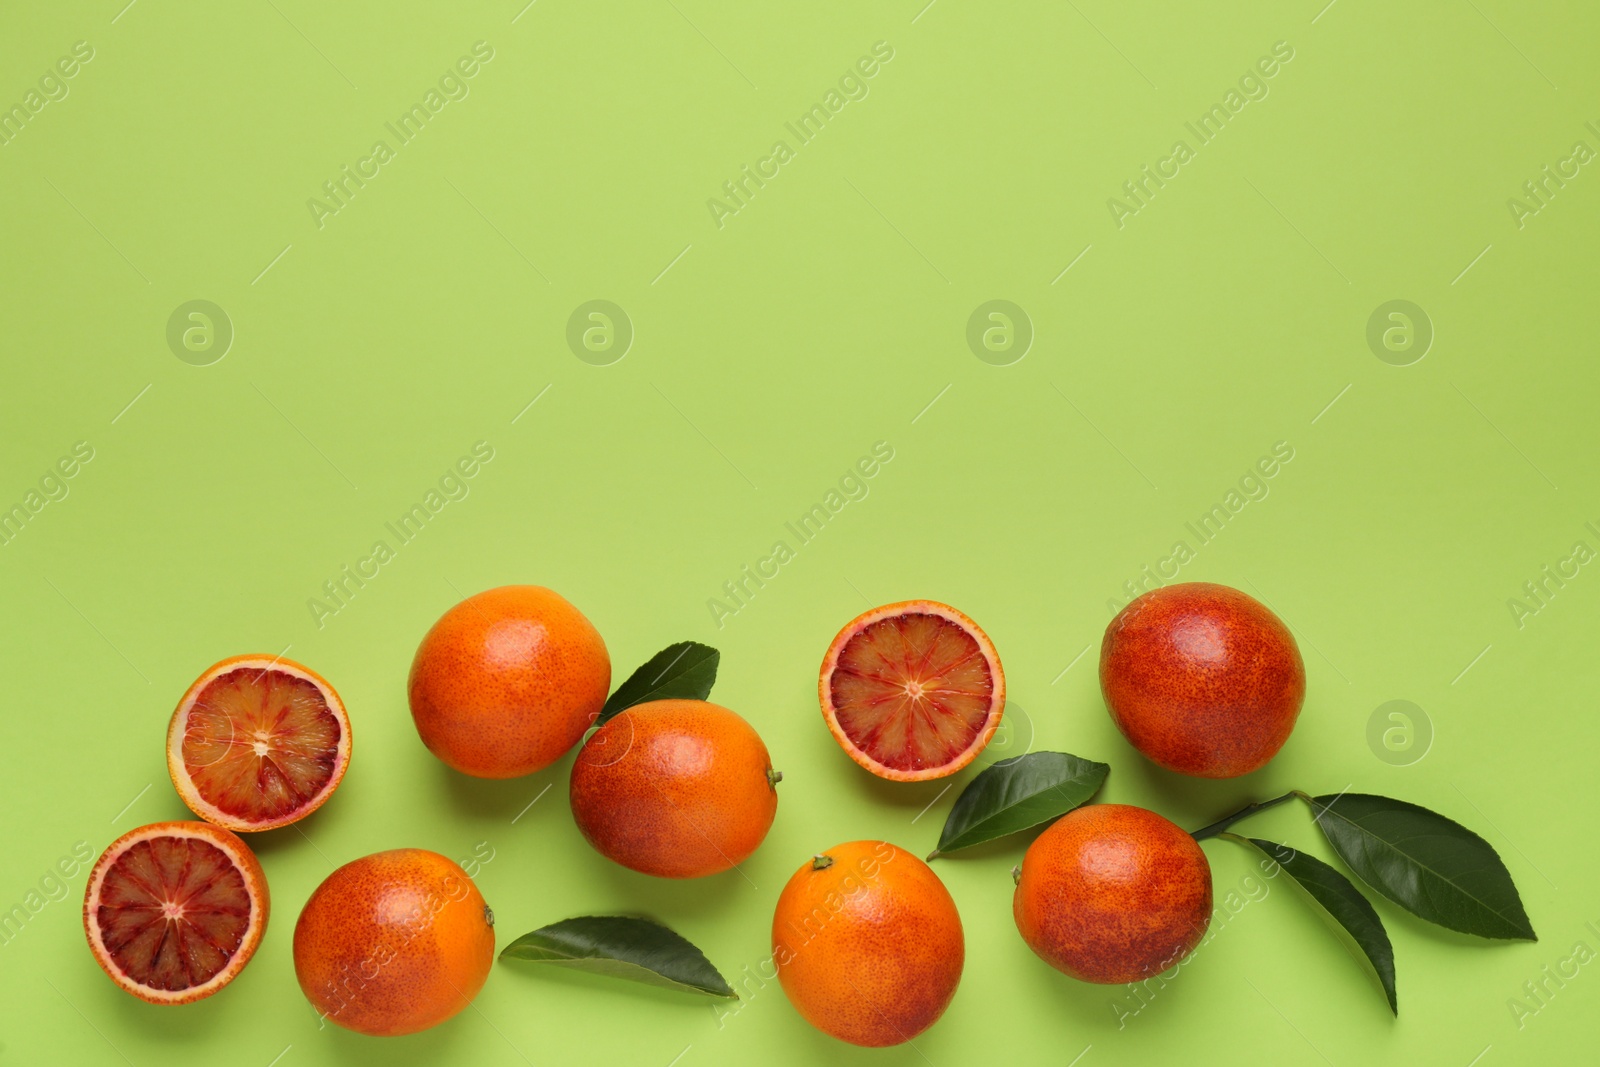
x=913, y=690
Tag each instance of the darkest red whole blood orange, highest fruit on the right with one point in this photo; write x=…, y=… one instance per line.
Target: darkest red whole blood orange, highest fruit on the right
x=1202, y=679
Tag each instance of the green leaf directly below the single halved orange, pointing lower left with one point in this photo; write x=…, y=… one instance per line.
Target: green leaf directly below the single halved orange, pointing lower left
x=1017, y=794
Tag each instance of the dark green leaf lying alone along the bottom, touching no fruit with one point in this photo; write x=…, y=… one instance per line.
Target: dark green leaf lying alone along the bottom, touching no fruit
x=636, y=949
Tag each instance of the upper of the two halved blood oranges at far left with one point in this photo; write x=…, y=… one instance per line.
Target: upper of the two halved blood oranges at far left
x=258, y=743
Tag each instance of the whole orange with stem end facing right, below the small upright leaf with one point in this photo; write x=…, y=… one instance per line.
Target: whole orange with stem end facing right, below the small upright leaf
x=678, y=789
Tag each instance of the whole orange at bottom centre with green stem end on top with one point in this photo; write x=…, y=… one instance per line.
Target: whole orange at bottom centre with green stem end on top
x=868, y=945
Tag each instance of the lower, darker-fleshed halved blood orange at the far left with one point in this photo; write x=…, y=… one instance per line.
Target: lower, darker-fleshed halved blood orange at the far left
x=175, y=911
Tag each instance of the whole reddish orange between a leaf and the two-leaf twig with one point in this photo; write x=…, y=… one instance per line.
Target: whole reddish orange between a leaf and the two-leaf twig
x=1113, y=893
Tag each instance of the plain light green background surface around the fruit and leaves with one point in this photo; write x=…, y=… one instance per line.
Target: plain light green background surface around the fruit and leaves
x=769, y=356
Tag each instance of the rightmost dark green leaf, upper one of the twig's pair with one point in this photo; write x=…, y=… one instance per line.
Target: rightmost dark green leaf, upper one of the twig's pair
x=1428, y=865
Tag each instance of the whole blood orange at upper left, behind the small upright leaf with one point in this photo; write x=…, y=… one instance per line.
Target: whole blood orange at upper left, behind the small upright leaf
x=508, y=681
